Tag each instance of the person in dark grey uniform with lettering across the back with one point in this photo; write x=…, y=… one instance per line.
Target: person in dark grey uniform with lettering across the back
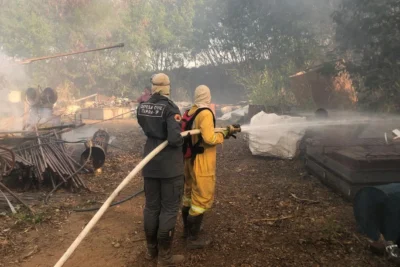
x=163, y=176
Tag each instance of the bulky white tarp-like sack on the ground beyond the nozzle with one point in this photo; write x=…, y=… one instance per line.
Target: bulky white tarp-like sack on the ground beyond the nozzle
x=279, y=140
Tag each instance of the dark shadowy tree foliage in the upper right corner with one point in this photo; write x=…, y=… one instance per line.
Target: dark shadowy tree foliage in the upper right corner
x=368, y=33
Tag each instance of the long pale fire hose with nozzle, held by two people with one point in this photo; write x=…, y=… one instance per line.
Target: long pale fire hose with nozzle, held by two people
x=121, y=186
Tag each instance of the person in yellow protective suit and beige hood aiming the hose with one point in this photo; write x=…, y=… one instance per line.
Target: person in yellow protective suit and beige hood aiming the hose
x=200, y=175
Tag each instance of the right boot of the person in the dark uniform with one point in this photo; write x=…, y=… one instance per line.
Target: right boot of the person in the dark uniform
x=165, y=257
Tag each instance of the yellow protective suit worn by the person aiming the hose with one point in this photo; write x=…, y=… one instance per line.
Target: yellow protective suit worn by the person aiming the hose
x=200, y=176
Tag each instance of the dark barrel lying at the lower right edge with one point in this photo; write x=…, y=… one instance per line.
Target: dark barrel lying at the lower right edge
x=377, y=211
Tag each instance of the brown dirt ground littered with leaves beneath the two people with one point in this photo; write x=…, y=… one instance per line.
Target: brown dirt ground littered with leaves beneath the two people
x=267, y=213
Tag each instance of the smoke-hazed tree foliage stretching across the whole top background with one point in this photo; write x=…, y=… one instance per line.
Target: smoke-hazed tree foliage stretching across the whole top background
x=264, y=41
